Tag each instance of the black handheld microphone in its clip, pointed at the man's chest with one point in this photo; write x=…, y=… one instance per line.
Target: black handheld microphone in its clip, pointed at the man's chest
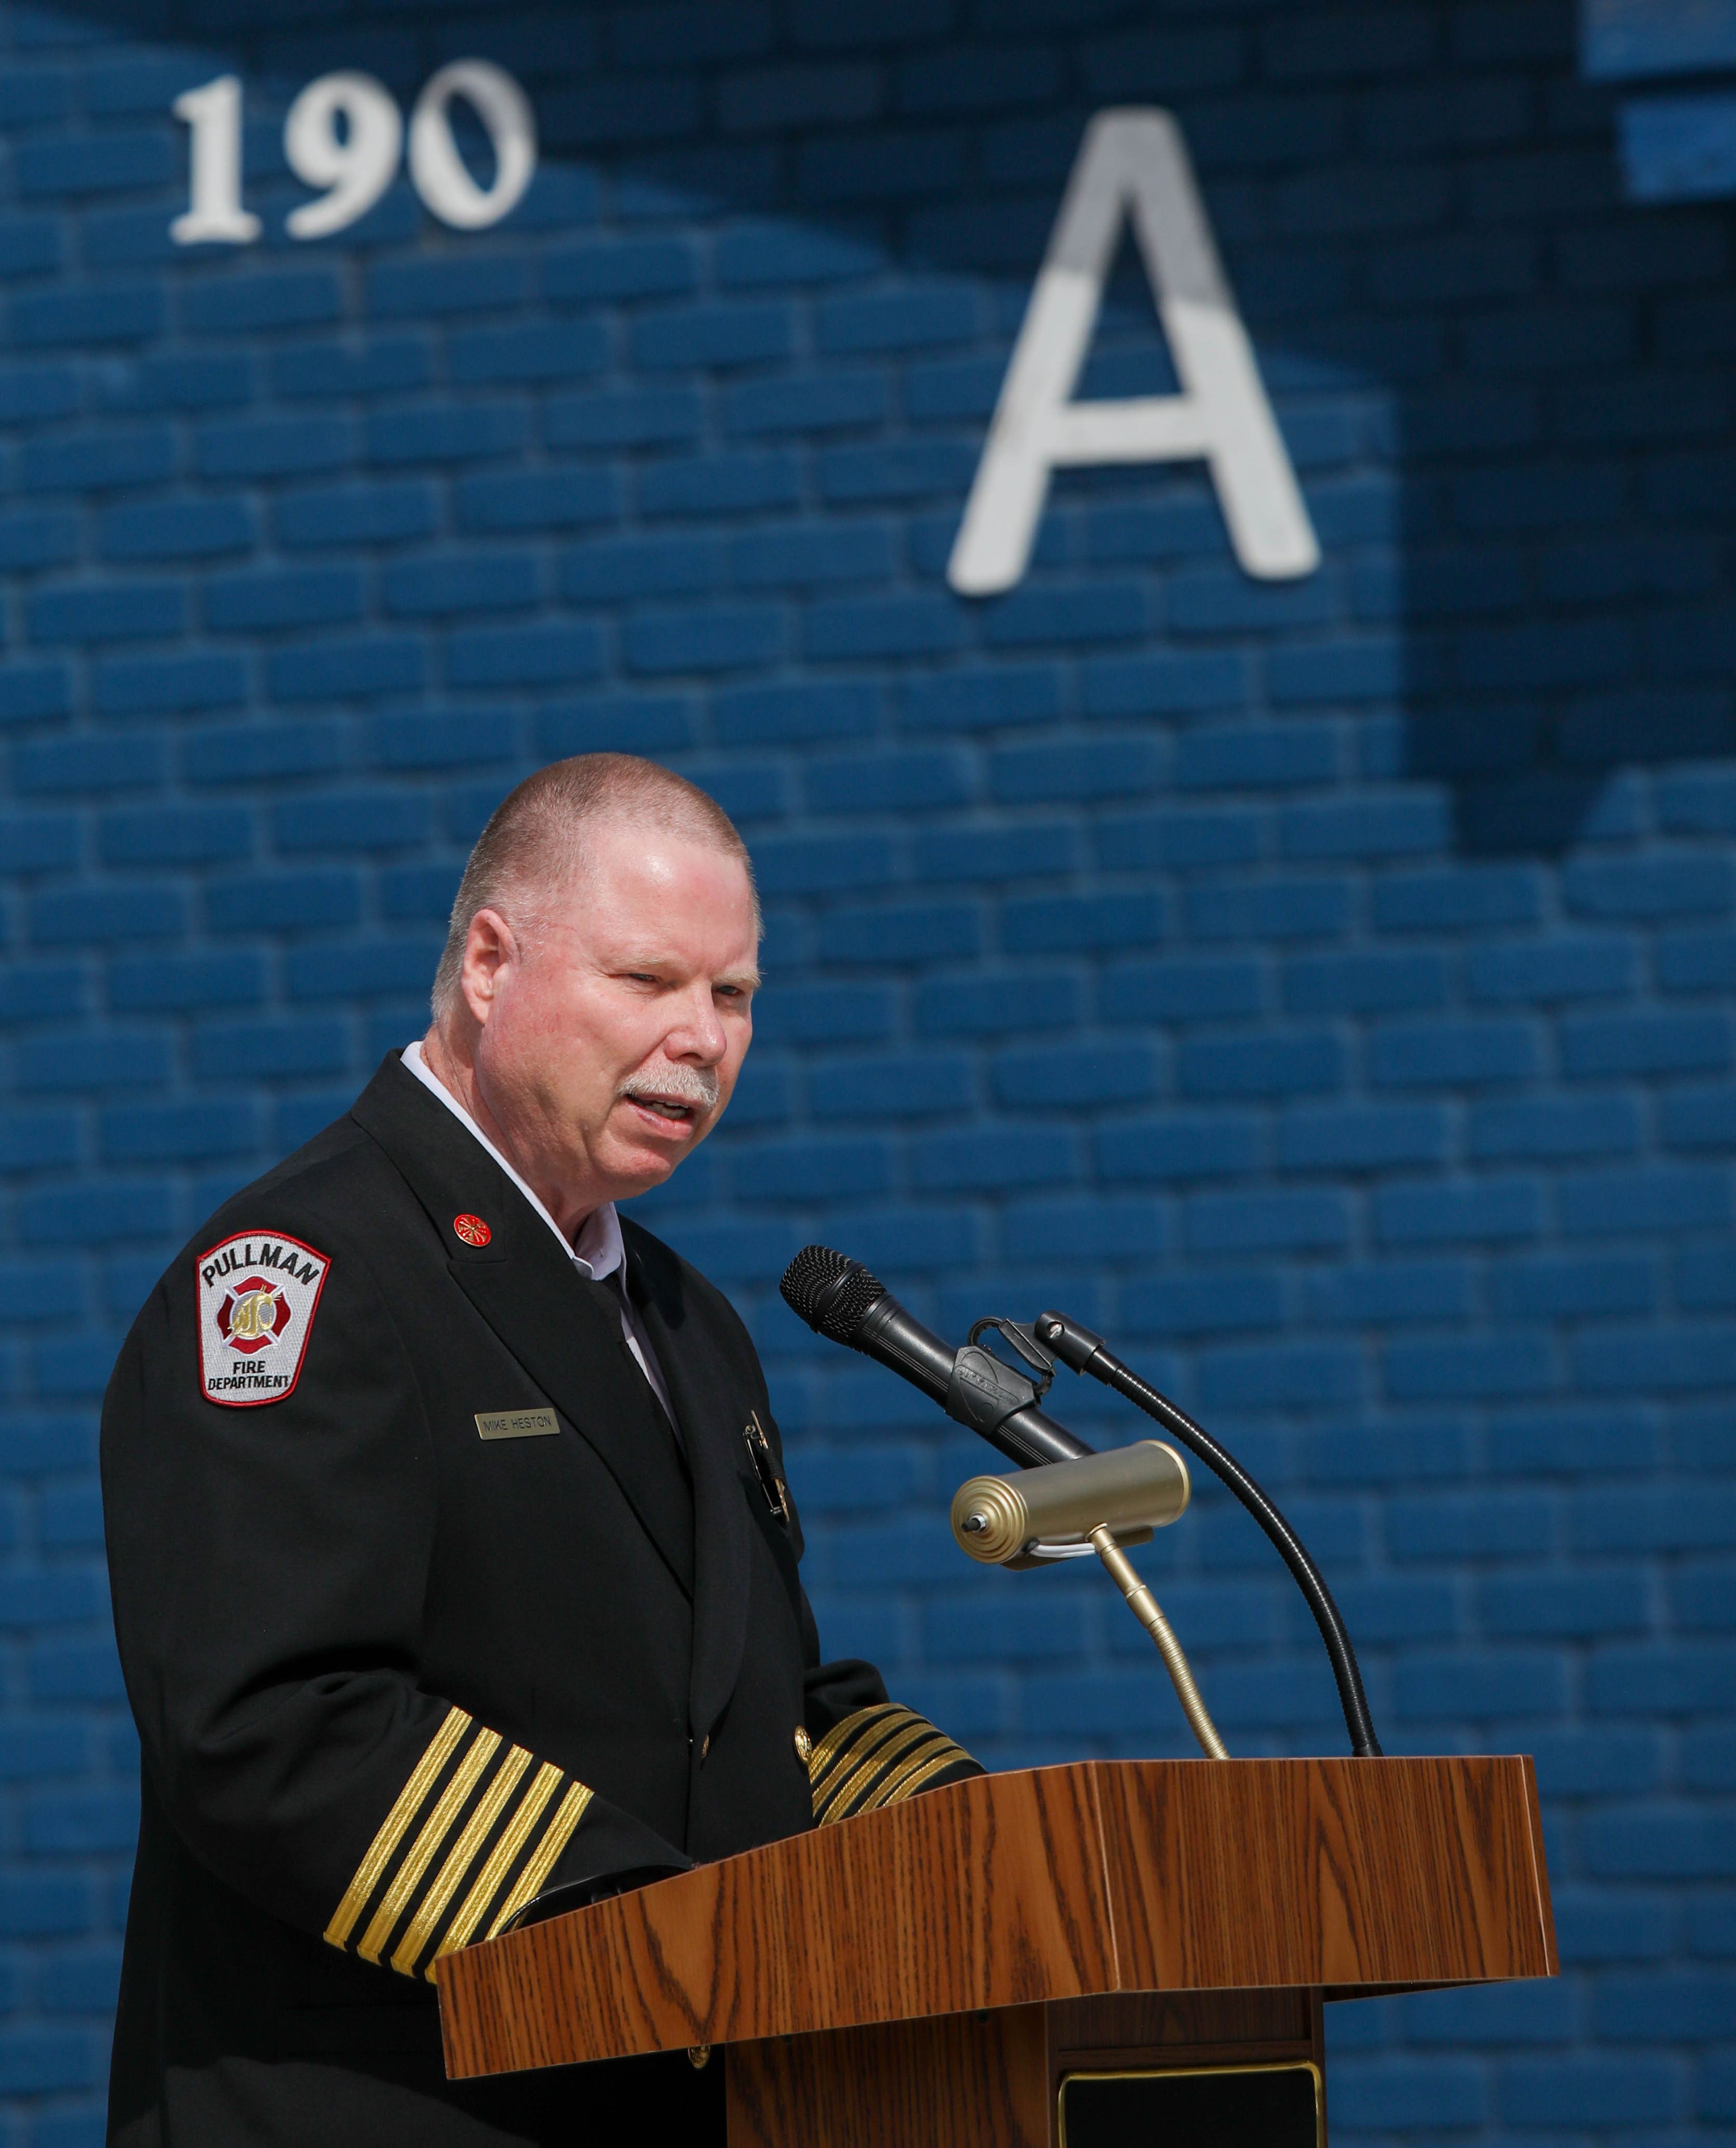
x=845, y=1305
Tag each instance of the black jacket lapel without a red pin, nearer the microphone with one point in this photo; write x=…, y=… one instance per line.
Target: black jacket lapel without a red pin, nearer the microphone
x=706, y=1408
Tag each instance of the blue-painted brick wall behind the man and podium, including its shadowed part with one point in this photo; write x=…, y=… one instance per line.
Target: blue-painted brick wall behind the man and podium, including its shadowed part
x=1320, y=987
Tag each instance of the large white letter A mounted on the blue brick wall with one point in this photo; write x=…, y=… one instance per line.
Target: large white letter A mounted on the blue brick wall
x=1133, y=160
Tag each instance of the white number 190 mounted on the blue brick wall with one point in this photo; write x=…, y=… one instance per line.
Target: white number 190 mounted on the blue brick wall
x=345, y=134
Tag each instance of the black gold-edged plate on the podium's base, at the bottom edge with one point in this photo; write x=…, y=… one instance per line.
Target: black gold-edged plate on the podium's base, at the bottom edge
x=1193, y=2108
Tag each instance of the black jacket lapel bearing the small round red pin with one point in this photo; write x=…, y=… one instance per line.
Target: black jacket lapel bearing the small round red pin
x=527, y=1292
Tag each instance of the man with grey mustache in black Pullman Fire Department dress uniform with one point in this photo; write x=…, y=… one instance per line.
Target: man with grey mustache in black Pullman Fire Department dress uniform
x=454, y=1569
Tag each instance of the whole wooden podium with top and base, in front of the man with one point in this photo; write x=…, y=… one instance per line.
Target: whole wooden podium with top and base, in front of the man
x=1067, y=1958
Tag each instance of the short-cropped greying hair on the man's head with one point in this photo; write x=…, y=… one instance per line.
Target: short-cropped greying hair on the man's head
x=534, y=841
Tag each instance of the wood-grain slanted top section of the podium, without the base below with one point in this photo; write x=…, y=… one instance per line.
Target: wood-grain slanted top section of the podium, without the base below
x=1045, y=1885
